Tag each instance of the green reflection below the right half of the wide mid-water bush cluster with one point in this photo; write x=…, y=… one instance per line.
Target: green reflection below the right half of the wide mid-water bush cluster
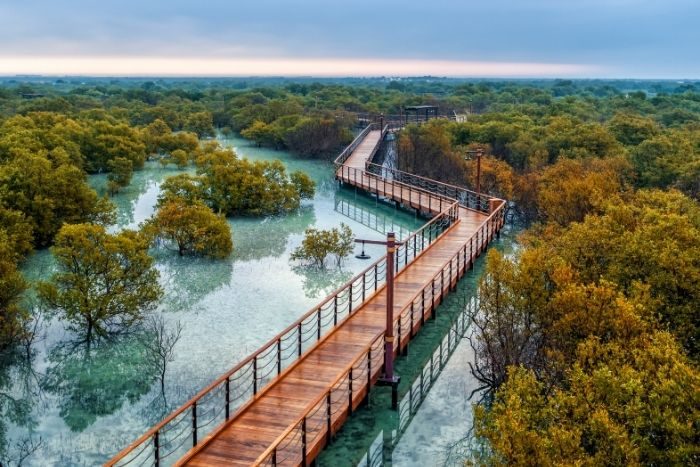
x=257, y=238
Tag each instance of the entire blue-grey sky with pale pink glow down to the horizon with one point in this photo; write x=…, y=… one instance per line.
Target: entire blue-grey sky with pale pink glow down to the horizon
x=467, y=38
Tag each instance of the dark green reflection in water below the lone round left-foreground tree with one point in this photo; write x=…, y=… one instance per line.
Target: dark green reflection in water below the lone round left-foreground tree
x=95, y=382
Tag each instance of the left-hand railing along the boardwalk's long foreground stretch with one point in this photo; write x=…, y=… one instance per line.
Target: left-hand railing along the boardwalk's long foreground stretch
x=218, y=402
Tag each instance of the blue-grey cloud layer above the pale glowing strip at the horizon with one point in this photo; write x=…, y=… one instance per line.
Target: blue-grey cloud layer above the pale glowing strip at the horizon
x=636, y=36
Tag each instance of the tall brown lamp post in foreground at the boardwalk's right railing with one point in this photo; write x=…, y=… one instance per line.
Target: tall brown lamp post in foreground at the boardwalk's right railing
x=389, y=378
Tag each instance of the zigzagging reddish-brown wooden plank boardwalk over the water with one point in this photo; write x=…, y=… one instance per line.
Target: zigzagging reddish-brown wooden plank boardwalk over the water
x=293, y=417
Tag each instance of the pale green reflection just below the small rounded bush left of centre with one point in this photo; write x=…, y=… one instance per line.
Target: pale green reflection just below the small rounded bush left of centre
x=186, y=280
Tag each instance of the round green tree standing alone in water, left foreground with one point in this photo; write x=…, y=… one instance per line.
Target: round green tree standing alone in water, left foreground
x=105, y=283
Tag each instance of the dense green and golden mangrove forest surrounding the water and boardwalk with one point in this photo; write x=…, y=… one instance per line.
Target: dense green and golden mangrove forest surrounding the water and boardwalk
x=587, y=337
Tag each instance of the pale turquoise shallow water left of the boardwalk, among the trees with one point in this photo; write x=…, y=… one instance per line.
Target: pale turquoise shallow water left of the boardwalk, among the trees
x=80, y=407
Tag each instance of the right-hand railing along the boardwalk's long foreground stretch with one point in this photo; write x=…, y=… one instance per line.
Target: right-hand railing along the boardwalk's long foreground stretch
x=305, y=437
